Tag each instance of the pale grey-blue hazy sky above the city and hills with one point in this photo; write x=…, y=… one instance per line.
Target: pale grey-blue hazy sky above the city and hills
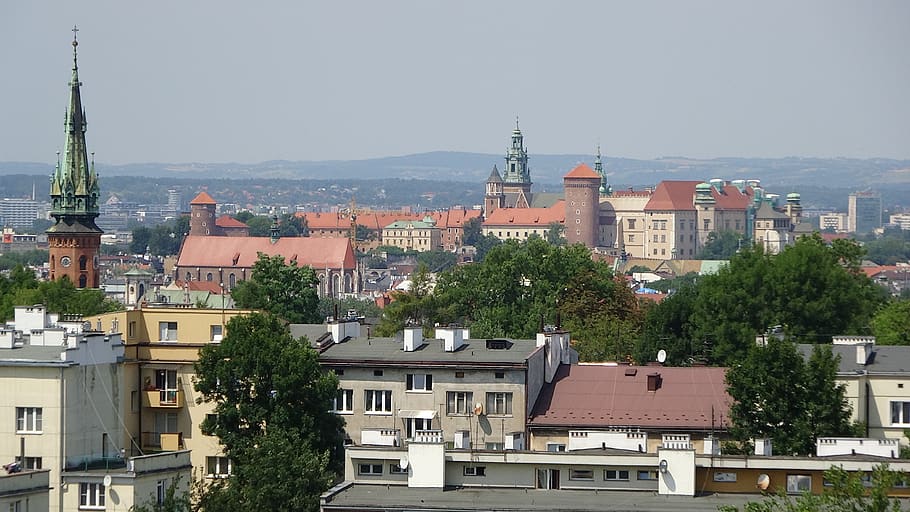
x=218, y=81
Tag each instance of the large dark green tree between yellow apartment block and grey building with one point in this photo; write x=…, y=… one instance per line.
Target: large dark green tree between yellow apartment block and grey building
x=272, y=417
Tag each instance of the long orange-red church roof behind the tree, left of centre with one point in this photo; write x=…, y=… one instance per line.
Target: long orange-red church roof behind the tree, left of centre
x=222, y=251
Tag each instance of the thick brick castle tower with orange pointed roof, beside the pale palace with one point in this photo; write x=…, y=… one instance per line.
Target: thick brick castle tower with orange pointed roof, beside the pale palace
x=582, y=193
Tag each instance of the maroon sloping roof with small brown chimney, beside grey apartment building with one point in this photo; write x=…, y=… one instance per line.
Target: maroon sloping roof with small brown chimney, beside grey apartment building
x=606, y=396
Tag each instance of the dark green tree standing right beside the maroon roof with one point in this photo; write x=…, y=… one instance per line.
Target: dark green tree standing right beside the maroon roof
x=779, y=395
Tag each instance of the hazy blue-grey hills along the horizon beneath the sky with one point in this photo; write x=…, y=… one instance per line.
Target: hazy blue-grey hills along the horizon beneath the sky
x=546, y=170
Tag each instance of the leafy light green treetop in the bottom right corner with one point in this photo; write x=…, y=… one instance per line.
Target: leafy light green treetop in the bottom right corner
x=847, y=492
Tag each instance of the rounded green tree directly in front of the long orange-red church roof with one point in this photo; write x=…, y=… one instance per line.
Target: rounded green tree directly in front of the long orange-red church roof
x=283, y=289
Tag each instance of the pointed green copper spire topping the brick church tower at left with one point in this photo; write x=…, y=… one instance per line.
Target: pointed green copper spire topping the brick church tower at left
x=74, y=186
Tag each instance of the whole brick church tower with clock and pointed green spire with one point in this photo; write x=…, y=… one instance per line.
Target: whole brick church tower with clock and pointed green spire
x=74, y=240
